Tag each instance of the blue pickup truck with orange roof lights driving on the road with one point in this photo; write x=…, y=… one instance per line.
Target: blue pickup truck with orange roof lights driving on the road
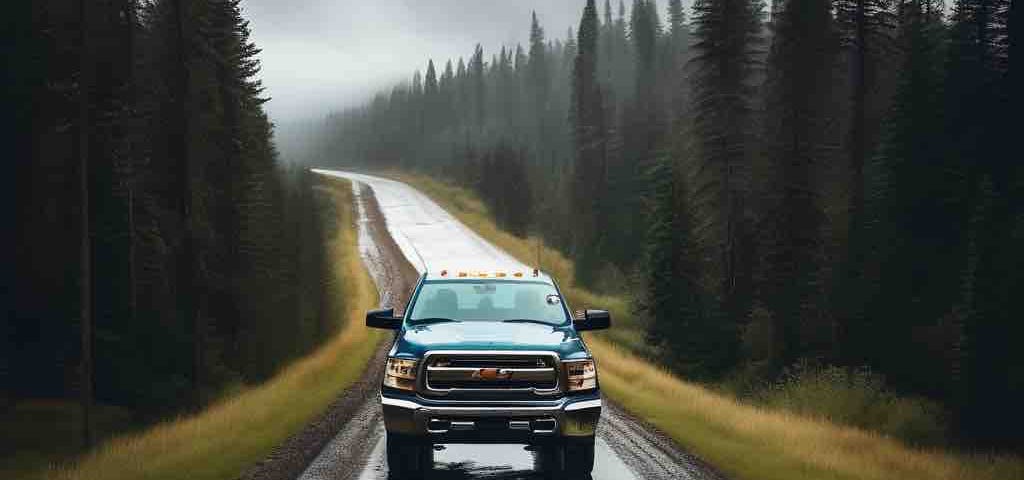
x=490, y=358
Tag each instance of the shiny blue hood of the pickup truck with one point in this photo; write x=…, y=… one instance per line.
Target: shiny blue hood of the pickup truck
x=414, y=341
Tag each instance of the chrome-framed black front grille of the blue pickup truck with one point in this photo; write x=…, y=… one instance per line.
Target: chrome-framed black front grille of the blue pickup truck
x=495, y=373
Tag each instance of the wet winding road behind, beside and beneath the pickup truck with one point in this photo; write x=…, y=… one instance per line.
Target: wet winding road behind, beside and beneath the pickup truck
x=430, y=238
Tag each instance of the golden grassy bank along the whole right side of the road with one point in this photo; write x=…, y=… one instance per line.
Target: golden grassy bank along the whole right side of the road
x=744, y=442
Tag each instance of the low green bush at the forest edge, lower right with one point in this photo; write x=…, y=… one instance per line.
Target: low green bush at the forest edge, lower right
x=857, y=398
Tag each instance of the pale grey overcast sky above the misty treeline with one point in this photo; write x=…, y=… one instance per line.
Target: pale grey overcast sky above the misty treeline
x=321, y=56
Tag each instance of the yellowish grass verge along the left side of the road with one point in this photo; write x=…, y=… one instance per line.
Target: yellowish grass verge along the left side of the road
x=222, y=442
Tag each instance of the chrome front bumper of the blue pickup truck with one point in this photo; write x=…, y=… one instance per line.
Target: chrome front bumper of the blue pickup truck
x=468, y=422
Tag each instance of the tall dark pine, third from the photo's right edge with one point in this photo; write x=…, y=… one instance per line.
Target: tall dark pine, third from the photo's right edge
x=799, y=115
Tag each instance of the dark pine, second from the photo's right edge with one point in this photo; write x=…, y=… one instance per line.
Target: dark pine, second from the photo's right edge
x=921, y=212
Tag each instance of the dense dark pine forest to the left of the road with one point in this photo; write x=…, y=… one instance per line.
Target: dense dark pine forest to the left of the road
x=162, y=253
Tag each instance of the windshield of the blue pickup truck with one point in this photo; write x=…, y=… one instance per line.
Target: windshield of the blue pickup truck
x=489, y=301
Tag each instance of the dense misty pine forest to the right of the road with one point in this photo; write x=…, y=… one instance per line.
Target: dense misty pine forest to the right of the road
x=802, y=182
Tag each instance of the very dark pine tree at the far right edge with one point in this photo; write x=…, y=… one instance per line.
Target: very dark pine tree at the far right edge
x=985, y=92
